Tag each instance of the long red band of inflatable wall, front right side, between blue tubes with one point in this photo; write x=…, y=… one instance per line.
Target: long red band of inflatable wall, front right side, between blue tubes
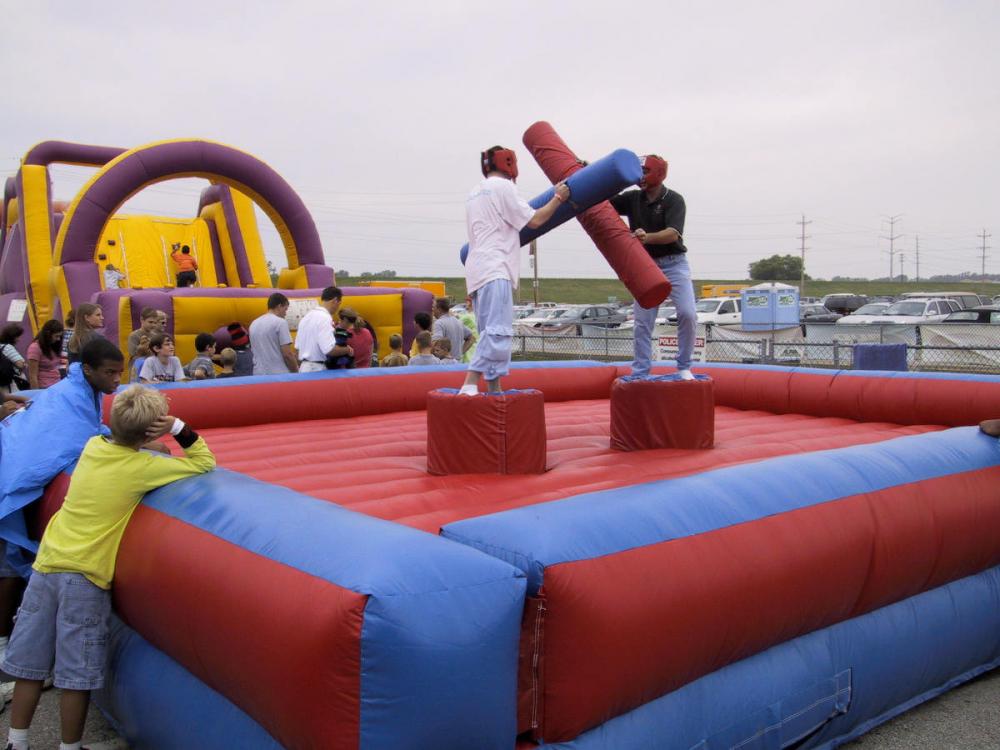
x=615, y=635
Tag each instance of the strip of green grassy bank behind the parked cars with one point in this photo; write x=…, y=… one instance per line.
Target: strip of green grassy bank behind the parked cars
x=583, y=291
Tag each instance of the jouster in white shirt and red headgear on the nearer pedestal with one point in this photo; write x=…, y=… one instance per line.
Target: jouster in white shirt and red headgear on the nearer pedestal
x=495, y=214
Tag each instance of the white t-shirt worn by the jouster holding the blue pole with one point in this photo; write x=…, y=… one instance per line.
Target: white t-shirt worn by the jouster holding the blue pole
x=495, y=214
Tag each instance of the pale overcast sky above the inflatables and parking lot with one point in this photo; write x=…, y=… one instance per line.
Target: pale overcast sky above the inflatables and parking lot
x=847, y=112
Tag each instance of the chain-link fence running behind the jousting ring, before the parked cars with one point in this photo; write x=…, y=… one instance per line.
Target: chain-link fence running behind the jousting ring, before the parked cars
x=971, y=348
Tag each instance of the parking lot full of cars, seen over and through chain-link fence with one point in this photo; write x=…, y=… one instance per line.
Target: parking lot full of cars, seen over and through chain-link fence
x=951, y=342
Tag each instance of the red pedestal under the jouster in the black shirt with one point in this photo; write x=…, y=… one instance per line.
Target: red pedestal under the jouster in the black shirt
x=663, y=412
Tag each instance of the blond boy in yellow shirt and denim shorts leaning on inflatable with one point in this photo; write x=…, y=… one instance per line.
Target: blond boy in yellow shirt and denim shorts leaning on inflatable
x=62, y=625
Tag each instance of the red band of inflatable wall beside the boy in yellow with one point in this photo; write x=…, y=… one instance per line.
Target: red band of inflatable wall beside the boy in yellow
x=241, y=655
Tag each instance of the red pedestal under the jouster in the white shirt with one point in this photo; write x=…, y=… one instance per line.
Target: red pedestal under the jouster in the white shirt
x=486, y=434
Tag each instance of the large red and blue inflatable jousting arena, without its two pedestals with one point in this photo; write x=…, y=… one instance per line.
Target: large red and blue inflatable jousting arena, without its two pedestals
x=830, y=562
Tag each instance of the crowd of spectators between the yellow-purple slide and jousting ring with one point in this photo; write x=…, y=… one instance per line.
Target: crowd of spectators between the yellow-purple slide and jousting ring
x=329, y=337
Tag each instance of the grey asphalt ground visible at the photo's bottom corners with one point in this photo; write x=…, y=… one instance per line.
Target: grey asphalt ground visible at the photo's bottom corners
x=966, y=718
